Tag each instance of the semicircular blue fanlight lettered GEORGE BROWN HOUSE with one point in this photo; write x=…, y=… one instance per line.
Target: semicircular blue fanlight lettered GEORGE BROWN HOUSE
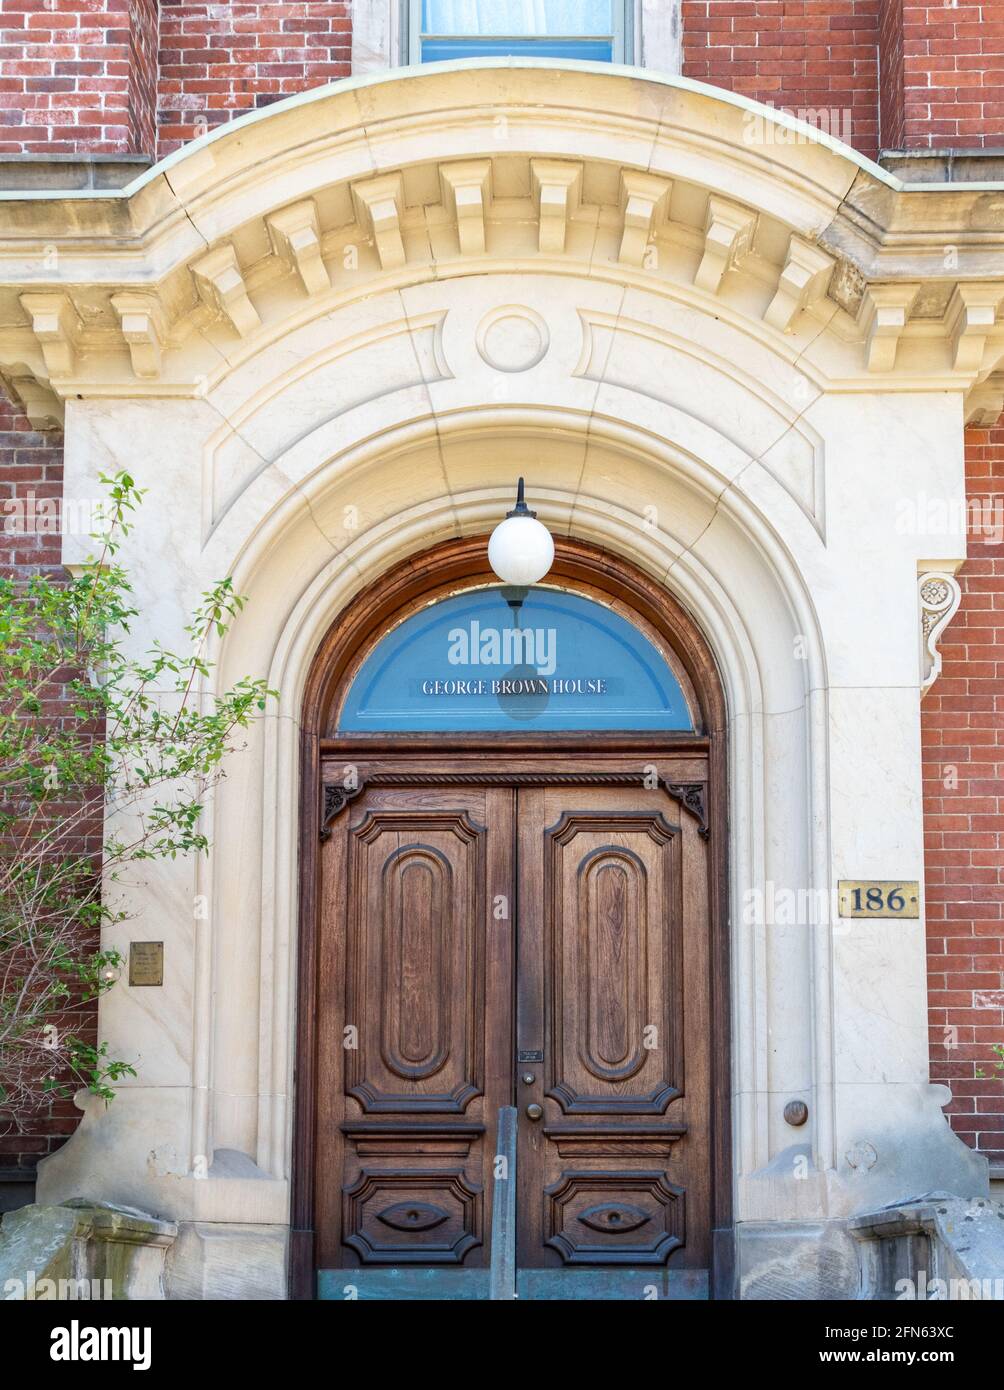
x=485, y=661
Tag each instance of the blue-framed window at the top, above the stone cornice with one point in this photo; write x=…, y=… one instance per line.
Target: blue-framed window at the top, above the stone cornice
x=593, y=30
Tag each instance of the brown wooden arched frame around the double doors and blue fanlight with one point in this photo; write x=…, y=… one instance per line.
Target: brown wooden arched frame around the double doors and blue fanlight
x=426, y=578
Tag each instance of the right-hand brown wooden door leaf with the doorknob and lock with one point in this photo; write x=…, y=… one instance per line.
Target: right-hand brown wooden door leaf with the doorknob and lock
x=614, y=1000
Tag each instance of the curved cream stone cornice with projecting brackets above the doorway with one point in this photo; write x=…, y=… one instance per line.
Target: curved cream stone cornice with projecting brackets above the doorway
x=162, y=288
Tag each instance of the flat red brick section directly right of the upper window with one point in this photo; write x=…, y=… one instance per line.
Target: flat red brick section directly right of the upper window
x=806, y=56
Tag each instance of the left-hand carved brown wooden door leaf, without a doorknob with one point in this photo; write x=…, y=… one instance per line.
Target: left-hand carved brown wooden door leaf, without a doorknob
x=415, y=1027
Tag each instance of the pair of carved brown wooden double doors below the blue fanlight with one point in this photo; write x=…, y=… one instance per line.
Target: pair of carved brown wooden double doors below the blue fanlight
x=525, y=936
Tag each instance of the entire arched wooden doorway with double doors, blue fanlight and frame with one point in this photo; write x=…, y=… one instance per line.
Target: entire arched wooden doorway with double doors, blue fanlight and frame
x=514, y=894
